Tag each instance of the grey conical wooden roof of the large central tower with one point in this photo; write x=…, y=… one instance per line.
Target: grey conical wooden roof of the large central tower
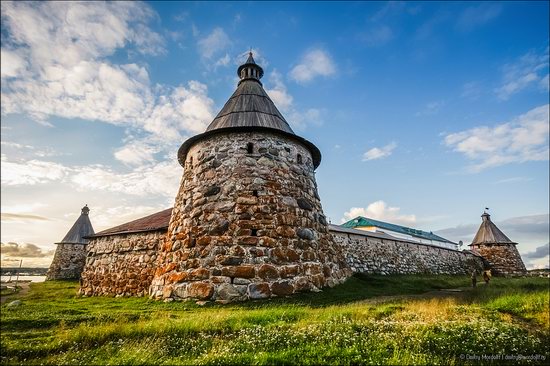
x=249, y=109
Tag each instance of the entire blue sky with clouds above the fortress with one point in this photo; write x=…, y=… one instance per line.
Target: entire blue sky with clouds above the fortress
x=425, y=112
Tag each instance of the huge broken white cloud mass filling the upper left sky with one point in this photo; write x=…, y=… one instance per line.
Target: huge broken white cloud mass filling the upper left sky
x=68, y=74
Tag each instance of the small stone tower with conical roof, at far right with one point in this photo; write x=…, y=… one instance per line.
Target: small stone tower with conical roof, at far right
x=497, y=249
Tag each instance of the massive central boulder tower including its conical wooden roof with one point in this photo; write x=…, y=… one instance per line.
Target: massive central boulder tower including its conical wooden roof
x=247, y=221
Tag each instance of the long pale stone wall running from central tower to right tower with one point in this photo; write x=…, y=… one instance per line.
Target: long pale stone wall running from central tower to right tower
x=369, y=254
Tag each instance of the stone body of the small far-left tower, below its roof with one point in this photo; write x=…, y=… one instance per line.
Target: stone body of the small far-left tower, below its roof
x=67, y=262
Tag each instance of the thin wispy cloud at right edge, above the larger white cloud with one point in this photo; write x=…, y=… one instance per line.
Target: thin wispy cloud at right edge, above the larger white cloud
x=529, y=71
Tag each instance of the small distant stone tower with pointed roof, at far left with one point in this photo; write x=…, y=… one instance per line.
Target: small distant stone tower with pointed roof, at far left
x=70, y=254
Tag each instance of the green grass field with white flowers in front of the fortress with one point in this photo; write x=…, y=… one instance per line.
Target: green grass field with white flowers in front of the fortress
x=368, y=320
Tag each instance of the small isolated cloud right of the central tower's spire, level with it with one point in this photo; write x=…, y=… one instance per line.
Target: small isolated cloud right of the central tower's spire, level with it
x=316, y=62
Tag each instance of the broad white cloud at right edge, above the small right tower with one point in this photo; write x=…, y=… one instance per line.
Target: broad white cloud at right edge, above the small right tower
x=523, y=139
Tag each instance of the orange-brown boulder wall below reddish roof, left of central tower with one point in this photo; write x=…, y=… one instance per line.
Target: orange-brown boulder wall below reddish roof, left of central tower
x=121, y=265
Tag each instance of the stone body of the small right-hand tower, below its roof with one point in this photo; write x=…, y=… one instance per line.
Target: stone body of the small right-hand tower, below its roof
x=504, y=259
